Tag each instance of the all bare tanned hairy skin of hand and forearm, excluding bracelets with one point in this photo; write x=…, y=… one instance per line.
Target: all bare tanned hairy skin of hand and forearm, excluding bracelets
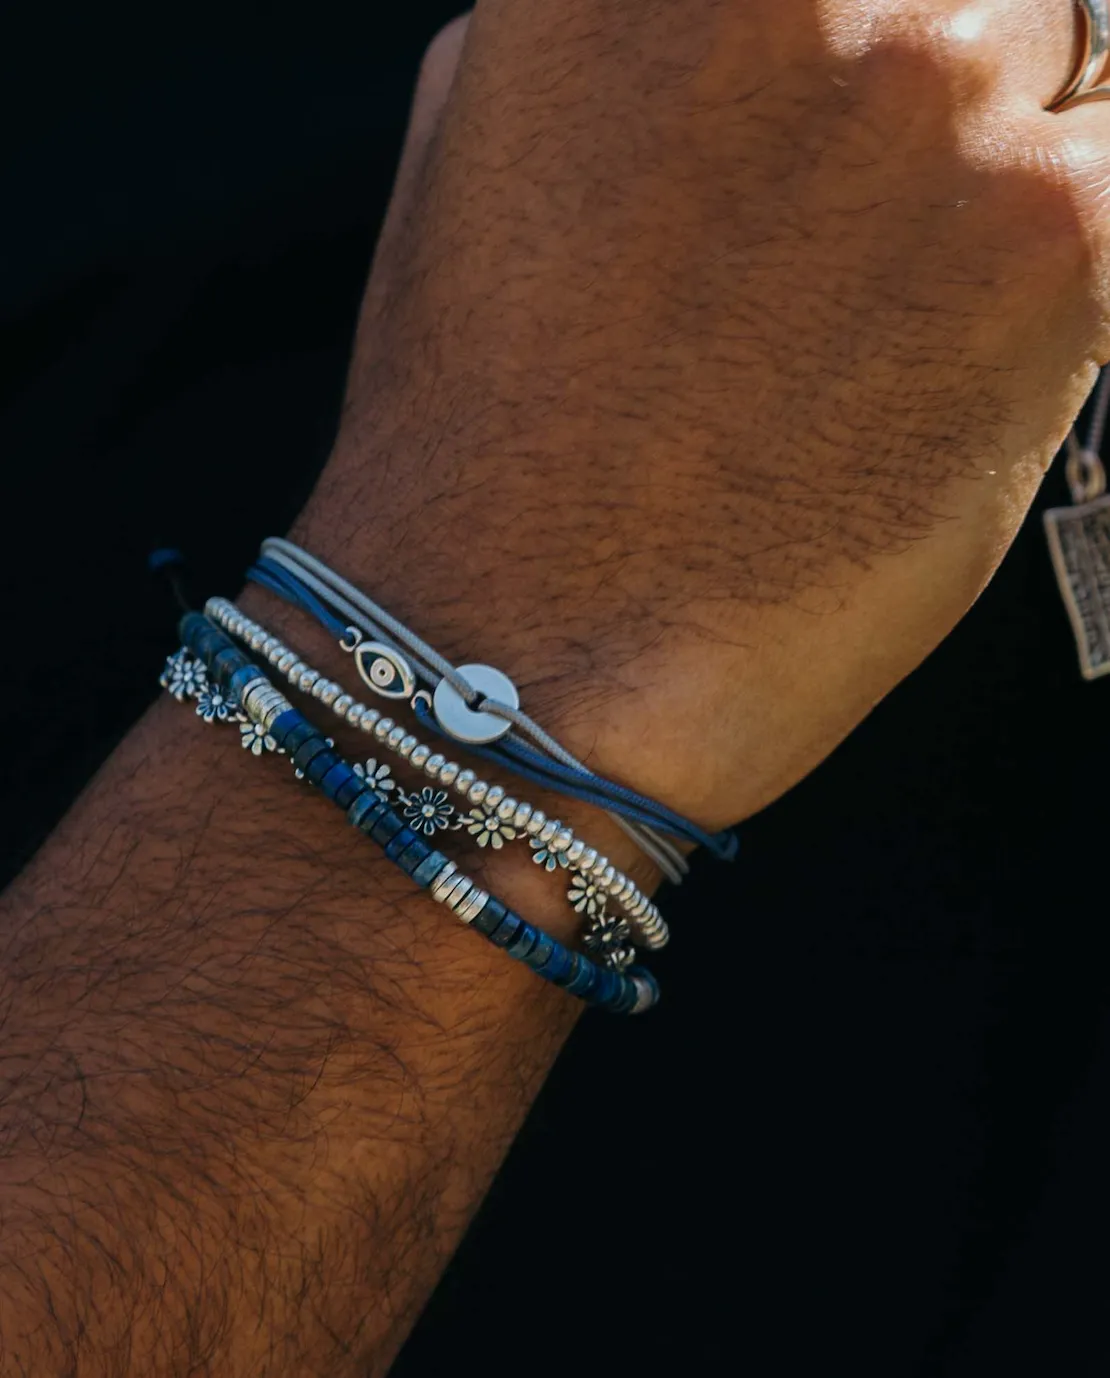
x=711, y=359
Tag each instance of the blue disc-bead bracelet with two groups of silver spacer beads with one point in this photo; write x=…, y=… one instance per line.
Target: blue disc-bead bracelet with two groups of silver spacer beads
x=312, y=753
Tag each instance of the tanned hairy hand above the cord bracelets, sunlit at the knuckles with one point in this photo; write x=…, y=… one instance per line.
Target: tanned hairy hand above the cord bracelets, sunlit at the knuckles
x=713, y=358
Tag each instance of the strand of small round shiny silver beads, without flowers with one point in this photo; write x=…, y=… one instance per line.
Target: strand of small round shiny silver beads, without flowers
x=648, y=924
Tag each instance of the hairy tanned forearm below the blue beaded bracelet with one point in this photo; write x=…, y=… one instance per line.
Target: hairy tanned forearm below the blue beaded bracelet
x=253, y=1087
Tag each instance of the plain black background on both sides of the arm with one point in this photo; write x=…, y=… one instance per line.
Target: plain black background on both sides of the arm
x=867, y=1131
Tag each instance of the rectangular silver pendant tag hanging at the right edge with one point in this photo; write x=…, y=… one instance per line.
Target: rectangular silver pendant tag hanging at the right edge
x=1079, y=539
